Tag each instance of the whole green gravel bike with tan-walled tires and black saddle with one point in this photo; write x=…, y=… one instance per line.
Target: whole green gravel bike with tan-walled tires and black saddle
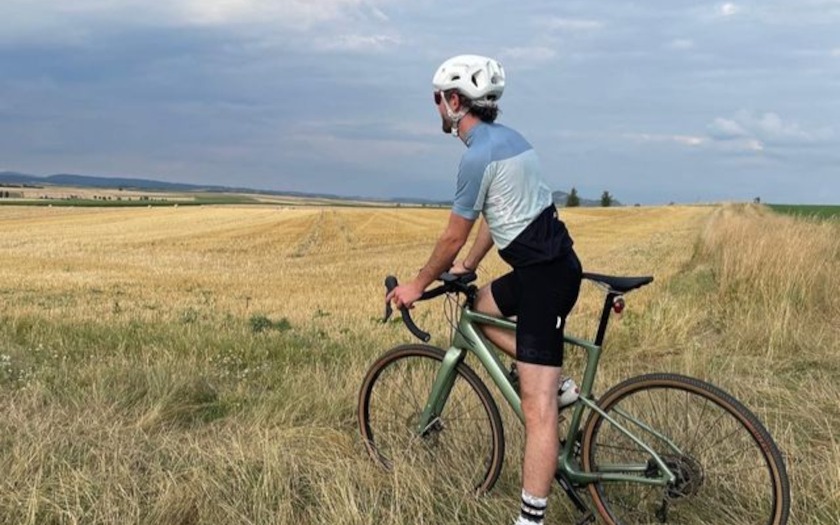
x=657, y=448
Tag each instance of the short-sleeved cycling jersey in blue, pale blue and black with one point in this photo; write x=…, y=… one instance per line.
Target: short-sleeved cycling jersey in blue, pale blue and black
x=500, y=177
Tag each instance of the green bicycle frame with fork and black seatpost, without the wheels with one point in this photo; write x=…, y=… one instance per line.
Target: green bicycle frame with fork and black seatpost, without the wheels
x=469, y=338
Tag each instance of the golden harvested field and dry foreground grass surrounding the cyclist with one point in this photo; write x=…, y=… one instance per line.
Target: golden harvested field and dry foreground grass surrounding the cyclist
x=200, y=365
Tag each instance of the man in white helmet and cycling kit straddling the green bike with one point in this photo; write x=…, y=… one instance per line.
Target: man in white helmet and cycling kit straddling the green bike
x=499, y=177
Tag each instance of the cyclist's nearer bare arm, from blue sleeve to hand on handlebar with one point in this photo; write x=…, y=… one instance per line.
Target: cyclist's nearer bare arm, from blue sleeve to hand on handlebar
x=446, y=249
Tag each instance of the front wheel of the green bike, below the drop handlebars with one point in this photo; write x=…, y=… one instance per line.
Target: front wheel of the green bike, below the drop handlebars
x=468, y=435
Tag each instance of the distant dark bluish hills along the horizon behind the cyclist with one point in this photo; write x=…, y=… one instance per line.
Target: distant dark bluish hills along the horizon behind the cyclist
x=87, y=181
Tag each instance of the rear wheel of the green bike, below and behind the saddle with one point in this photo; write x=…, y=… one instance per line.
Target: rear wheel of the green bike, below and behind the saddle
x=729, y=471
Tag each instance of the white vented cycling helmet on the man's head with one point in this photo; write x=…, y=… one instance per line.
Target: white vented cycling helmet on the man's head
x=481, y=79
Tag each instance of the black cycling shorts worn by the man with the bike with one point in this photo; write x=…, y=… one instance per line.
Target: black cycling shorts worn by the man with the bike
x=541, y=296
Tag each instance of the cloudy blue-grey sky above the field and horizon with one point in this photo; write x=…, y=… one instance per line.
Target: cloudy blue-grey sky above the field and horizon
x=655, y=101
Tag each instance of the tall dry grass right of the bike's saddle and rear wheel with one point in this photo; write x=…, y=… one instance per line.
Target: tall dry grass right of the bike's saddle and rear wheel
x=756, y=311
